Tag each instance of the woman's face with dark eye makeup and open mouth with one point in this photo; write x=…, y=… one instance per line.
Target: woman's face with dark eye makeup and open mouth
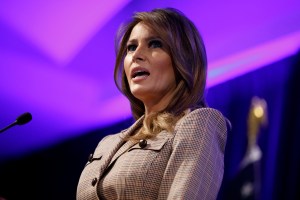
x=148, y=68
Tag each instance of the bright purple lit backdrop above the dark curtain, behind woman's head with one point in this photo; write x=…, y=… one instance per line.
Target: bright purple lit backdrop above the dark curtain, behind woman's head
x=57, y=58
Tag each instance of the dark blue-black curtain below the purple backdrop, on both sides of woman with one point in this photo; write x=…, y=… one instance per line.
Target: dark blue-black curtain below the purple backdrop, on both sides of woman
x=53, y=173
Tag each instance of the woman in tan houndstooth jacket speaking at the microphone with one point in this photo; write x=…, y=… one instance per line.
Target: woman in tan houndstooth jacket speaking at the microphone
x=175, y=149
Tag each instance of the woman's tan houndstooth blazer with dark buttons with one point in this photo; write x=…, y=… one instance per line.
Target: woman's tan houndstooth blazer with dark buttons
x=186, y=164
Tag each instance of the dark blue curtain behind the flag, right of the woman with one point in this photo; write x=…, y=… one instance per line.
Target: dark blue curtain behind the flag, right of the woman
x=279, y=166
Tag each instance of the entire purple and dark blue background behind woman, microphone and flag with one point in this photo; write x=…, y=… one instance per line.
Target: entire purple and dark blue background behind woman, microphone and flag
x=57, y=60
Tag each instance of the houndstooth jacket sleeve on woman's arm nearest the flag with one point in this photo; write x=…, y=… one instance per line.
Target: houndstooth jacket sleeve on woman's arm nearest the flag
x=196, y=165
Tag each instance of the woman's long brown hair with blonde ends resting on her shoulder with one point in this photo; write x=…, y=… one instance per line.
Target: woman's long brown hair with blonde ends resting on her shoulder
x=185, y=46
